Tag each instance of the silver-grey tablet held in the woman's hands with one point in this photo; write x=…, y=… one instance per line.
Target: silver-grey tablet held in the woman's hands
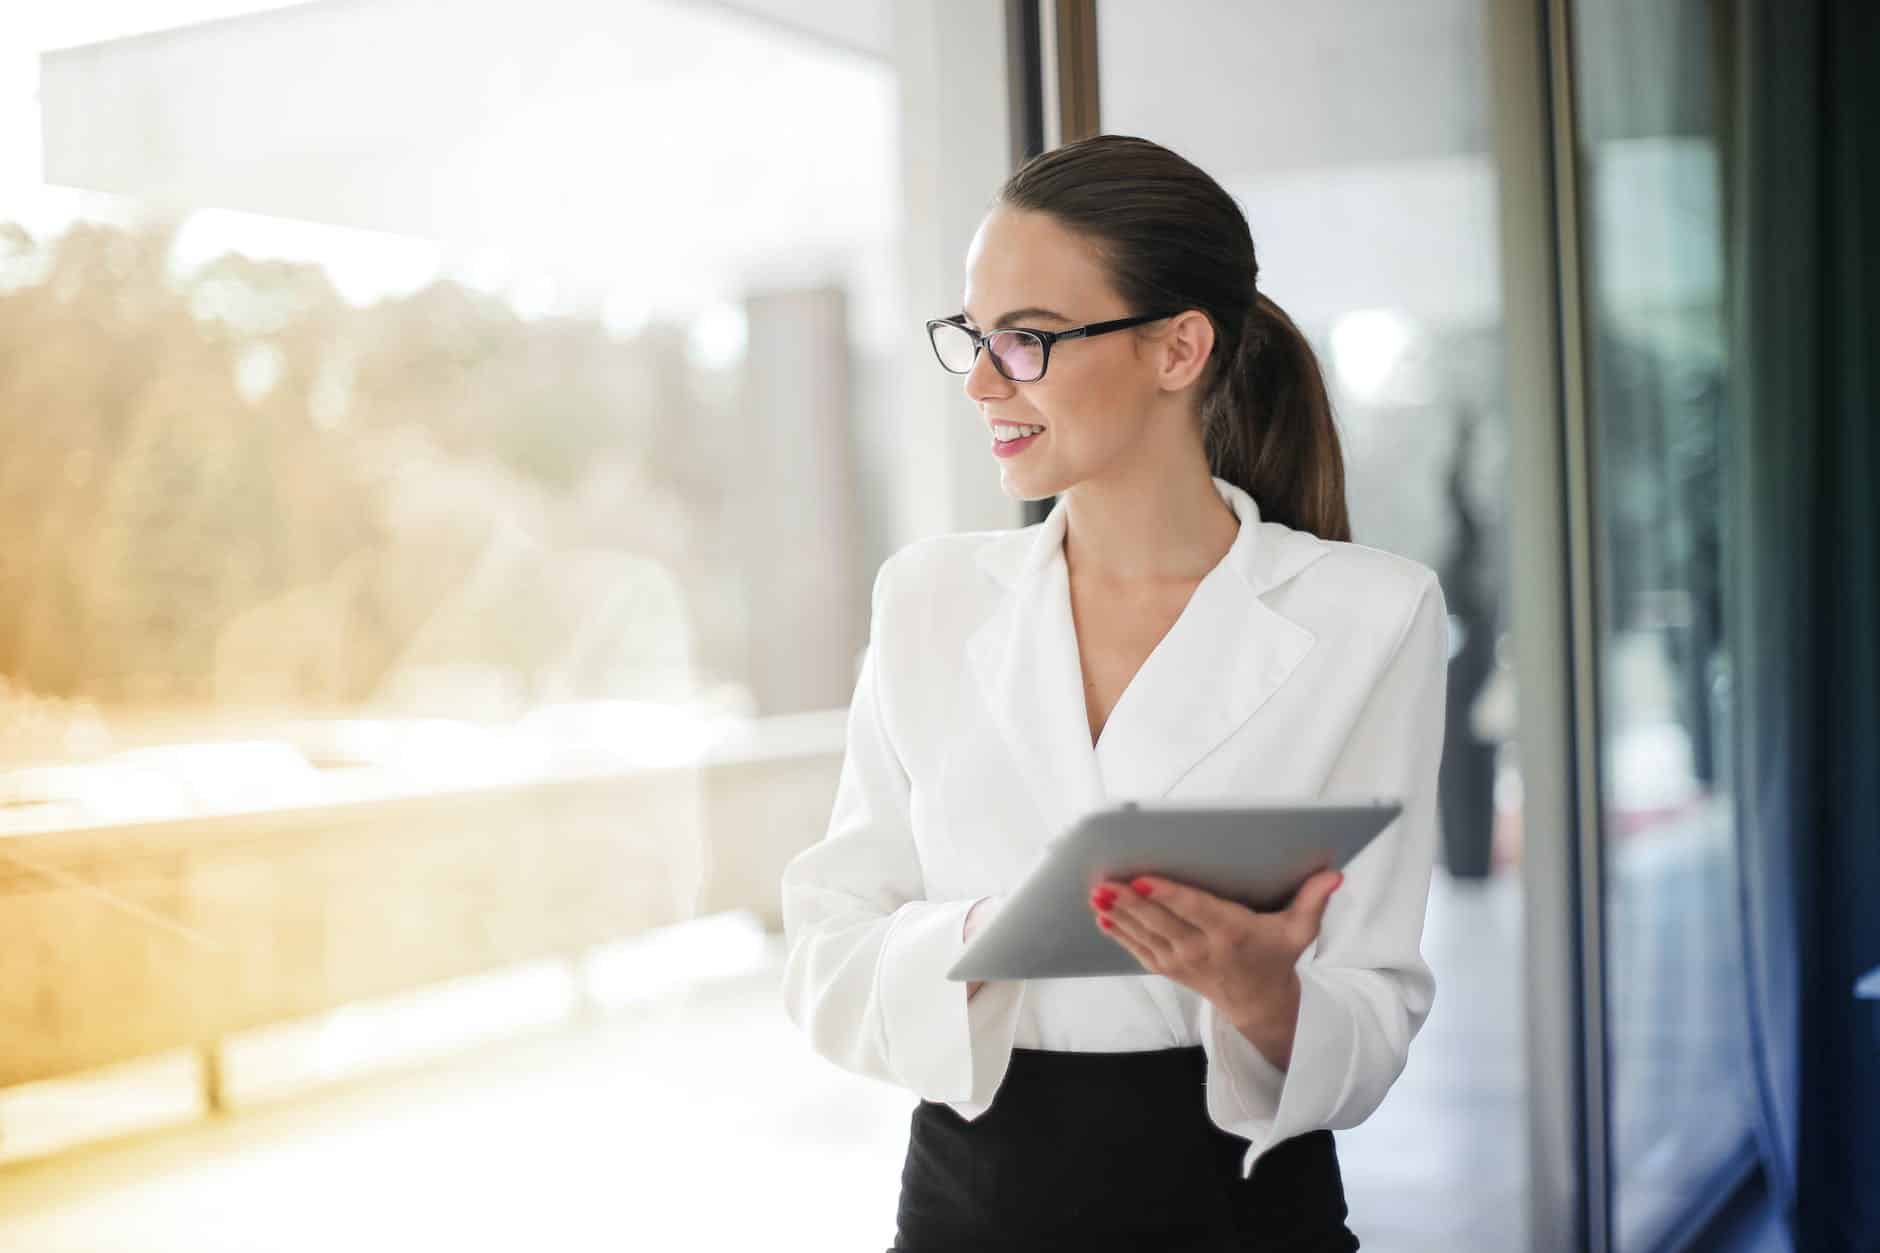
x=1257, y=857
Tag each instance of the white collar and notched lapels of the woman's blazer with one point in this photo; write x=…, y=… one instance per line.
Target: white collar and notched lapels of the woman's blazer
x=1217, y=665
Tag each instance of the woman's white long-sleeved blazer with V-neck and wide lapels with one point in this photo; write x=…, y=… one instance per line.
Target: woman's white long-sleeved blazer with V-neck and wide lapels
x=1300, y=669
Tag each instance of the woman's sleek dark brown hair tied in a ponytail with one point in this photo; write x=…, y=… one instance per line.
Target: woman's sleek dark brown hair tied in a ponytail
x=1172, y=238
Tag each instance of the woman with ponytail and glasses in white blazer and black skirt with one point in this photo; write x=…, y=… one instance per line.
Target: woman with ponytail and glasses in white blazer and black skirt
x=1189, y=622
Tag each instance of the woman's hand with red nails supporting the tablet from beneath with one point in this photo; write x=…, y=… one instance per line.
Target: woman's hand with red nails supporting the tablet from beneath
x=1238, y=959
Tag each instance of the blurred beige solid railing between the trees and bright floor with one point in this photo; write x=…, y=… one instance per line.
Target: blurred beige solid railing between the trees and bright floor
x=127, y=942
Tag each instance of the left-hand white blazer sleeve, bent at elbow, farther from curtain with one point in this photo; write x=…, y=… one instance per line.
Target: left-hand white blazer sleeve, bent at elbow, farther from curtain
x=868, y=953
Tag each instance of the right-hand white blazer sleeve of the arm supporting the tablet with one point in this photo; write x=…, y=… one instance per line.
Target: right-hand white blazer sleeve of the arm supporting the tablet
x=1364, y=985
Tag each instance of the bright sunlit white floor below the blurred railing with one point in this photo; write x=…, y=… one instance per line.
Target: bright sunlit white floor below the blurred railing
x=700, y=1126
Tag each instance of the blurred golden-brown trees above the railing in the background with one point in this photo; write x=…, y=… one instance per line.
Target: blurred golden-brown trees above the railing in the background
x=236, y=486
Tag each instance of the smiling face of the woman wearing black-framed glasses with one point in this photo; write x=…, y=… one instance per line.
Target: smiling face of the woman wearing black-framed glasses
x=1118, y=400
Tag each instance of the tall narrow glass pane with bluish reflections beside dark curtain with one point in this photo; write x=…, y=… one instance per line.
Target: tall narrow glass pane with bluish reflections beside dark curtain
x=1674, y=987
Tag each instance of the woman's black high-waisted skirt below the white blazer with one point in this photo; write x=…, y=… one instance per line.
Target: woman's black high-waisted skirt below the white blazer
x=1110, y=1152
